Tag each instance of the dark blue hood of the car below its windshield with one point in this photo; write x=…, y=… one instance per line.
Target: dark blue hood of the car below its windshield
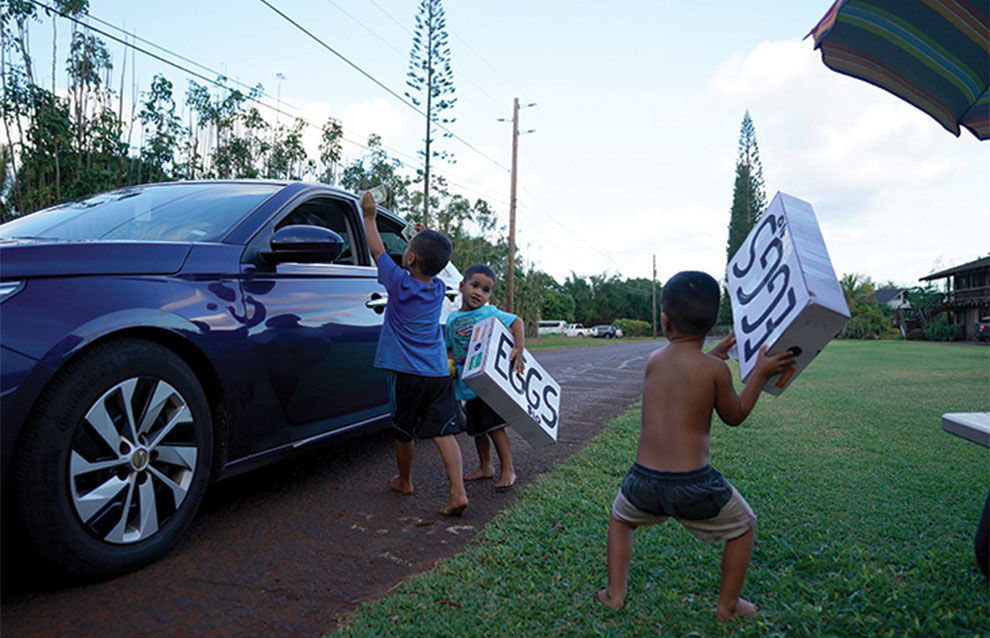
x=32, y=258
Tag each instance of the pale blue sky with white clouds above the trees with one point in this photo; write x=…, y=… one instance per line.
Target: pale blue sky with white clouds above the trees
x=638, y=107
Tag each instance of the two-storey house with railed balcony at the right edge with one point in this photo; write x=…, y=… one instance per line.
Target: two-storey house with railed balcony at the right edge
x=965, y=294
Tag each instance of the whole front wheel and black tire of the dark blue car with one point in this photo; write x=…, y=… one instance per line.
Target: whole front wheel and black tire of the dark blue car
x=113, y=461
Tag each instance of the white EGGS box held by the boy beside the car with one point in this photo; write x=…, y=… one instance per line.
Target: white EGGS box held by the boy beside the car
x=530, y=402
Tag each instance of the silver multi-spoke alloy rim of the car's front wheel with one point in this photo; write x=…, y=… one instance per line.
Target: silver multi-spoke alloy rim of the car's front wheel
x=132, y=460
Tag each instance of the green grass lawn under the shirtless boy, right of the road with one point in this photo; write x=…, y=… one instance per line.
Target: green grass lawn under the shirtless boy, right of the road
x=867, y=511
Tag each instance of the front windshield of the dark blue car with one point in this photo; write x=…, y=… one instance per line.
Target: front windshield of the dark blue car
x=169, y=212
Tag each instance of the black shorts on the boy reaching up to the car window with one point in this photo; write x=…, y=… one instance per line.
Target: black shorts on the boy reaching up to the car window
x=422, y=407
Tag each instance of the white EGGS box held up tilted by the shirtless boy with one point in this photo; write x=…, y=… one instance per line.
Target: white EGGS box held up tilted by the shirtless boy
x=783, y=290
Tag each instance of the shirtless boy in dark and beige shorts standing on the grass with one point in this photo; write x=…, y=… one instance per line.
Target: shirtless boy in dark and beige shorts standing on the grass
x=671, y=477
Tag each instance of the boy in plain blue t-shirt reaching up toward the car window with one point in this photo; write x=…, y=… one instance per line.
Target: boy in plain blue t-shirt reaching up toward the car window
x=411, y=348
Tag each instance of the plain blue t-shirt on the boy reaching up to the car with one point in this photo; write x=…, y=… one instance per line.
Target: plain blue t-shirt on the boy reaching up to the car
x=411, y=340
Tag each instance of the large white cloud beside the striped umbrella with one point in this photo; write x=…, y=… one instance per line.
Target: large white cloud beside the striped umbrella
x=891, y=188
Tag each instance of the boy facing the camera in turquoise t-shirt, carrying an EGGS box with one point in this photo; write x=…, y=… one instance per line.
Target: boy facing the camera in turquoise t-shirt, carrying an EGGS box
x=483, y=423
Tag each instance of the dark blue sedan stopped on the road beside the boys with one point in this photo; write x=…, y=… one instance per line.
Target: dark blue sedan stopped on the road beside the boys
x=160, y=336
